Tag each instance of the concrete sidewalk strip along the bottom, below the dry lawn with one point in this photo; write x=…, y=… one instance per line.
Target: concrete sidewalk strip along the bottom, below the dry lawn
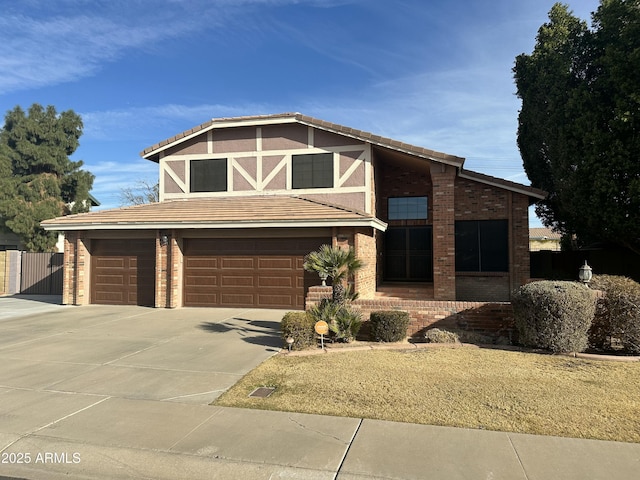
x=112, y=438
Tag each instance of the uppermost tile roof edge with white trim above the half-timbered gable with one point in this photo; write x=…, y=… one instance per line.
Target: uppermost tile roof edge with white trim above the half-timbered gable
x=152, y=153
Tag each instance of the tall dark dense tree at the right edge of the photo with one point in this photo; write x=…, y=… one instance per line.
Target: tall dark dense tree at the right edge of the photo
x=579, y=126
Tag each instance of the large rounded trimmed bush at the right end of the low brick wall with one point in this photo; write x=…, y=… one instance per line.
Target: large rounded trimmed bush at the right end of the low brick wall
x=553, y=315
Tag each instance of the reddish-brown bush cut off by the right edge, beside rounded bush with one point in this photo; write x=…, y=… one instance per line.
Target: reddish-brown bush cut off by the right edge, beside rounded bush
x=617, y=317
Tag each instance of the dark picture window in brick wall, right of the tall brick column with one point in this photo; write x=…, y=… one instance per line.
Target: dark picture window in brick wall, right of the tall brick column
x=482, y=246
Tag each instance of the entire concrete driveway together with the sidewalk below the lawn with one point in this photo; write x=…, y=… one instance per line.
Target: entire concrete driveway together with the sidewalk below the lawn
x=123, y=393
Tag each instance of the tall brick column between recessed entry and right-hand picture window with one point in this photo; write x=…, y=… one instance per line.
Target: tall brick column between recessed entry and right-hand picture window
x=444, y=260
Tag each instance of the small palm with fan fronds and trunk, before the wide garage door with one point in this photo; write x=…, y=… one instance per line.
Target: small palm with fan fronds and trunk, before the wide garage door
x=336, y=263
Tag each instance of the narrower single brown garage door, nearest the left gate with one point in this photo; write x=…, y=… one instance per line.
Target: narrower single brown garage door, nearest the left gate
x=122, y=272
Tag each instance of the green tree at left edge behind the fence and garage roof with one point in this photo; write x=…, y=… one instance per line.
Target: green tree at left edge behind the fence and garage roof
x=39, y=181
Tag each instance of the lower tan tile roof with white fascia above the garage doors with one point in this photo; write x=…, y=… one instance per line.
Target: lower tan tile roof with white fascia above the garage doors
x=218, y=212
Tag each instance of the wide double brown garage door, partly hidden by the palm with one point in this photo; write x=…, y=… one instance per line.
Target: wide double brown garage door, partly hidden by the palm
x=264, y=273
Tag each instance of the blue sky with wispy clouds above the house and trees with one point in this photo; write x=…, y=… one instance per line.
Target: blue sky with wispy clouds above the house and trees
x=434, y=73
